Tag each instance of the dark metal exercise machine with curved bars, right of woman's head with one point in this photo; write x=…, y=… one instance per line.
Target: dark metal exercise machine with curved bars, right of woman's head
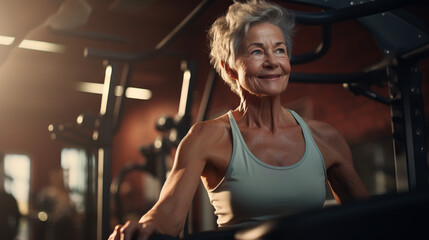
x=404, y=43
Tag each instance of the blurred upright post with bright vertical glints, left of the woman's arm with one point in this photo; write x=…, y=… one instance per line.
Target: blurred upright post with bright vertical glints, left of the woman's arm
x=105, y=135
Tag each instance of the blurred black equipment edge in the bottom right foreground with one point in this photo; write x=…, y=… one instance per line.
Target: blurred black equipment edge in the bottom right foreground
x=398, y=216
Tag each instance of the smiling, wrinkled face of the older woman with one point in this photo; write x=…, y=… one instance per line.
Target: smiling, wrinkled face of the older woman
x=262, y=65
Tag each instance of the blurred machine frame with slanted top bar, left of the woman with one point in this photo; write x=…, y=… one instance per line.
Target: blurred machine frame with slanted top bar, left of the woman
x=109, y=117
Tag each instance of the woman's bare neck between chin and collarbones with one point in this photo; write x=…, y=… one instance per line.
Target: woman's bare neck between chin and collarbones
x=264, y=111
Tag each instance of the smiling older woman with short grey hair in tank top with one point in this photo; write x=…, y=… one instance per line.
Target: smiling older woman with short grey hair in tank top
x=259, y=160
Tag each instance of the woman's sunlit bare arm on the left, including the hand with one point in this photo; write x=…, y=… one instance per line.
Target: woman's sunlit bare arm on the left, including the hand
x=168, y=215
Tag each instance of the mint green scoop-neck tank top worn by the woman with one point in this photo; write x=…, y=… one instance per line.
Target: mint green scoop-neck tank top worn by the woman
x=253, y=191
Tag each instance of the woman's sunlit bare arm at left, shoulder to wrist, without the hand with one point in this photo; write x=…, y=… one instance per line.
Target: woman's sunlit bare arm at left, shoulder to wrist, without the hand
x=169, y=213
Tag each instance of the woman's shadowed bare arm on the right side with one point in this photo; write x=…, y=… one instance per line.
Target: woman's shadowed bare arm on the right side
x=342, y=176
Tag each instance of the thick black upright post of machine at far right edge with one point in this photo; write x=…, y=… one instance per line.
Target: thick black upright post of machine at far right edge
x=408, y=123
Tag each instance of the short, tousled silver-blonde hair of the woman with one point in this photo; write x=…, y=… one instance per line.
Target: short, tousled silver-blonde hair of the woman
x=227, y=32
